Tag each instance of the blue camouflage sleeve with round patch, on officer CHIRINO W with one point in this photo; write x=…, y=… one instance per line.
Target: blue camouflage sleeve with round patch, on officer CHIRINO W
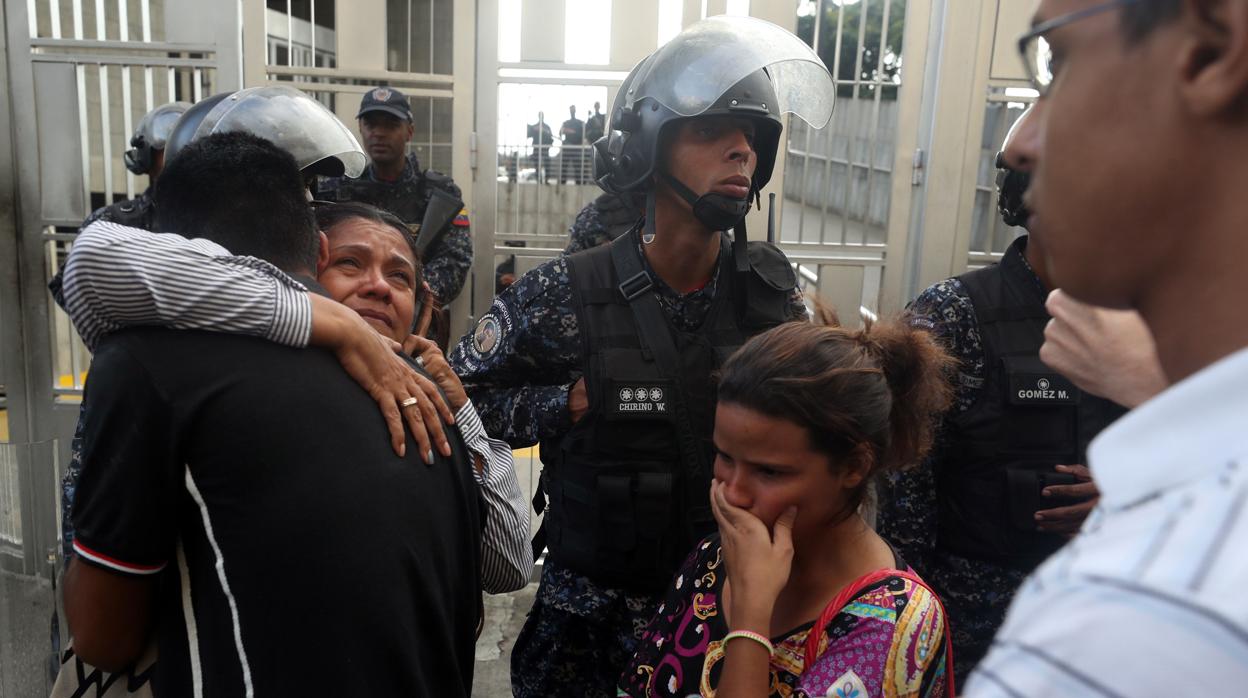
x=520, y=361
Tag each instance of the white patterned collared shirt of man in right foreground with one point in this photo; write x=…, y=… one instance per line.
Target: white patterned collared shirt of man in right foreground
x=1150, y=599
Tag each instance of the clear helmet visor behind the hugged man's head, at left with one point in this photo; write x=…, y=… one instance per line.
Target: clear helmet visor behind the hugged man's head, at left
x=291, y=120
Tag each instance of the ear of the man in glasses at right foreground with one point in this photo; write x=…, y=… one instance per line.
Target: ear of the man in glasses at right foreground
x=1214, y=57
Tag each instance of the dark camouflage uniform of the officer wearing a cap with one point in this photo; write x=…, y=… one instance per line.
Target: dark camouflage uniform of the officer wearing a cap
x=450, y=260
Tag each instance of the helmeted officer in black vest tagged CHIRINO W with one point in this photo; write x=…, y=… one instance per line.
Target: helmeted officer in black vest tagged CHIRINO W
x=606, y=358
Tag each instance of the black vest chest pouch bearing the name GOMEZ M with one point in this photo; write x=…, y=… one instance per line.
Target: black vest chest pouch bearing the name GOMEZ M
x=1041, y=409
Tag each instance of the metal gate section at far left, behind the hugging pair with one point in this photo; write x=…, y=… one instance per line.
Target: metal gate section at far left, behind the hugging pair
x=79, y=77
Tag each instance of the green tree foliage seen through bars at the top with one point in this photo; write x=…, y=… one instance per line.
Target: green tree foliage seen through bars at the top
x=849, y=14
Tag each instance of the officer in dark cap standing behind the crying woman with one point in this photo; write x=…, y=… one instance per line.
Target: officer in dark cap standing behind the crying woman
x=396, y=183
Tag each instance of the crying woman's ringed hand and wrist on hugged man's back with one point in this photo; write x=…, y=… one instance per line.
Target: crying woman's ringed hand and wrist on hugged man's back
x=375, y=363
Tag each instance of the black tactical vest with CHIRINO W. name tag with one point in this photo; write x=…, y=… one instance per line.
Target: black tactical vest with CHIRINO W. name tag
x=628, y=485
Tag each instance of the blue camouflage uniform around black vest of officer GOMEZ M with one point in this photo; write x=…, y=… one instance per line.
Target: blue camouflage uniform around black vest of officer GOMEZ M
x=977, y=594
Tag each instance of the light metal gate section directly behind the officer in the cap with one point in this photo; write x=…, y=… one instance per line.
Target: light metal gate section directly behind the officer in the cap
x=338, y=52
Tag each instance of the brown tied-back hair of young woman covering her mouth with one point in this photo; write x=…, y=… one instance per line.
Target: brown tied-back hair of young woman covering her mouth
x=875, y=394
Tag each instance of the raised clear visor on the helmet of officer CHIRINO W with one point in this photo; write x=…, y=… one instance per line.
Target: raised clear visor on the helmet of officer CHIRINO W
x=691, y=73
